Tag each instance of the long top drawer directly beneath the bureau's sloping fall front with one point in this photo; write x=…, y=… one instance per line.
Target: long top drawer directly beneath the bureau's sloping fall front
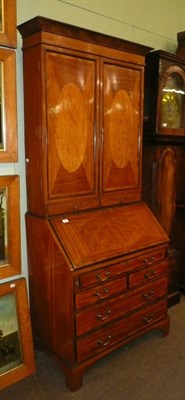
x=107, y=273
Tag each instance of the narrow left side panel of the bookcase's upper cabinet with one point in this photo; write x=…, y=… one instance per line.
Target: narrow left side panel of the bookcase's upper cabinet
x=33, y=129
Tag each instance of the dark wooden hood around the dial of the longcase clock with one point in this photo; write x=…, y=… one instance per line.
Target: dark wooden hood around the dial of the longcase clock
x=162, y=66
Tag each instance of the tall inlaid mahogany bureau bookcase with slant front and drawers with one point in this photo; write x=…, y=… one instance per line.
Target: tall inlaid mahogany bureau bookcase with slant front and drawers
x=98, y=266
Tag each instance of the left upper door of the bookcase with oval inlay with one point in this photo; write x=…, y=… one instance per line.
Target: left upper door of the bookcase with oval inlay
x=71, y=119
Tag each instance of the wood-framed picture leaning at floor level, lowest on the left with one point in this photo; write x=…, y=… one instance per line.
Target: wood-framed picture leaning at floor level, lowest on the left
x=16, y=344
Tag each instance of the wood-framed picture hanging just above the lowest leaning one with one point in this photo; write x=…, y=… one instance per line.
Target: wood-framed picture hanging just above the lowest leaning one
x=10, y=258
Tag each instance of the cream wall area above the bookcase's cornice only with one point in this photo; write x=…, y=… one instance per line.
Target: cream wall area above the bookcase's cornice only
x=151, y=22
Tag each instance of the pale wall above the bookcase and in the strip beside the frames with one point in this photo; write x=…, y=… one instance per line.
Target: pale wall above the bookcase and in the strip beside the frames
x=150, y=22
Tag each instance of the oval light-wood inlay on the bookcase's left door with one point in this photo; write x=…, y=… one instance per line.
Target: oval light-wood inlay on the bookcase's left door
x=71, y=128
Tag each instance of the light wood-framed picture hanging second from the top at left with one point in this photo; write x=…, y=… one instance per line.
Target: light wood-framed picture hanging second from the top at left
x=8, y=106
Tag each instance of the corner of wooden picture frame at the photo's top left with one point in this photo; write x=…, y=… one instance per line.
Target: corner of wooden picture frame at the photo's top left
x=8, y=22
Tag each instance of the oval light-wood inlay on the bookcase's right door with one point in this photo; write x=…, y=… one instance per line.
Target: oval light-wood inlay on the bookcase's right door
x=121, y=128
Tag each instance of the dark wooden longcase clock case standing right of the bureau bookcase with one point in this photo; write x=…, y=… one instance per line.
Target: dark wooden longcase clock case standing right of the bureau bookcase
x=163, y=158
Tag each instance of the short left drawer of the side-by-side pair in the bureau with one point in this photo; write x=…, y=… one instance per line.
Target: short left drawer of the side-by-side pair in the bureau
x=100, y=292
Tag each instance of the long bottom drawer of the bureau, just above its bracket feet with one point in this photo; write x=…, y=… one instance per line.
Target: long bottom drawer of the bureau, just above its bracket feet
x=104, y=338
